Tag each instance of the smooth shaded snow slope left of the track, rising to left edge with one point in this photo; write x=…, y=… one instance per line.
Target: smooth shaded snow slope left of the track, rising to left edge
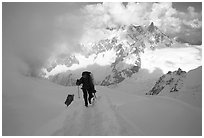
x=27, y=102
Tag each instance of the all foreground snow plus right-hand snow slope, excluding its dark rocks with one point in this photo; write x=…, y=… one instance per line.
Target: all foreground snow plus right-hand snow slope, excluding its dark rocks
x=32, y=106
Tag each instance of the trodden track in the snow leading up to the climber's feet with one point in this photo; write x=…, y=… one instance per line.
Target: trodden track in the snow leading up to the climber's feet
x=100, y=119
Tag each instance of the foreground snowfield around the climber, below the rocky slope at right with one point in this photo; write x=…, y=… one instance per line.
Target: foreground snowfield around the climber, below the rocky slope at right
x=40, y=110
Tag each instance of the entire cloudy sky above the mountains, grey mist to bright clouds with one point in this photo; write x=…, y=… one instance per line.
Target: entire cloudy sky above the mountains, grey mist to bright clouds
x=36, y=32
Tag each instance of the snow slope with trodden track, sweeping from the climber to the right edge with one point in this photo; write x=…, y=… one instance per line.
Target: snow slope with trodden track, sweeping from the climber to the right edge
x=117, y=113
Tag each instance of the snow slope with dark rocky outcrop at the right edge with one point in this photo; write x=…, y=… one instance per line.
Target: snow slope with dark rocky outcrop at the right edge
x=181, y=85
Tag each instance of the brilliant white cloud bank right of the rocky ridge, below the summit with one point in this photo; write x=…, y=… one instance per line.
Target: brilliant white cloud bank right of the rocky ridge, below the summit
x=189, y=58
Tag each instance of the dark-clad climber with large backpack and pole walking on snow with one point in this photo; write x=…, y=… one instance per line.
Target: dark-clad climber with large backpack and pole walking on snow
x=87, y=86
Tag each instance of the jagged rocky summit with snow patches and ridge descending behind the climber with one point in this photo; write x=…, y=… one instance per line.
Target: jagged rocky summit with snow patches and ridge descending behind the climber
x=128, y=48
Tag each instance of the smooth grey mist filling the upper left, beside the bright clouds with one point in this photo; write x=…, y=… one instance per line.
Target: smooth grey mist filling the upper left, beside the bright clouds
x=34, y=32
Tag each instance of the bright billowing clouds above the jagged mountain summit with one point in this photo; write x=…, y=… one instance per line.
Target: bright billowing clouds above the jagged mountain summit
x=167, y=18
